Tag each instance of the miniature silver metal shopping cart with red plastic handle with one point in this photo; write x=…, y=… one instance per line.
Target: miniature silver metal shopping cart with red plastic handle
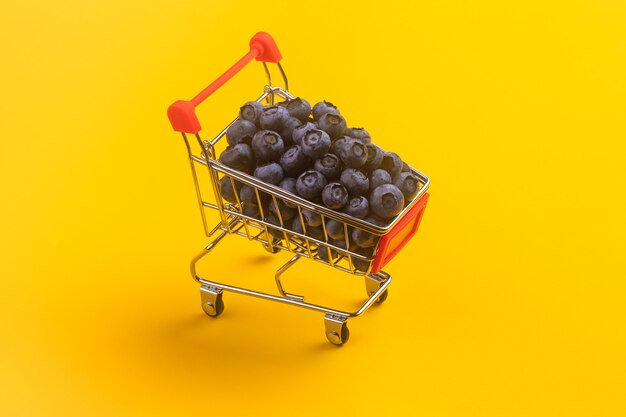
x=279, y=237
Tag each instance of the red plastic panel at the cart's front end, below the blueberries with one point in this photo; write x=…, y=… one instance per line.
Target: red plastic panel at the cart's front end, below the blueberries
x=391, y=243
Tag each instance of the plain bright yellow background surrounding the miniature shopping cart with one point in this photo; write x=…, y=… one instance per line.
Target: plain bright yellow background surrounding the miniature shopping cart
x=509, y=302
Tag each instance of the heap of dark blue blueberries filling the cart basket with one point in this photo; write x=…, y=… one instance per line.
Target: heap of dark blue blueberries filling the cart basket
x=310, y=152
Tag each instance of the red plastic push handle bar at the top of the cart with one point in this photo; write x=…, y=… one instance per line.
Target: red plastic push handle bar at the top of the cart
x=182, y=113
